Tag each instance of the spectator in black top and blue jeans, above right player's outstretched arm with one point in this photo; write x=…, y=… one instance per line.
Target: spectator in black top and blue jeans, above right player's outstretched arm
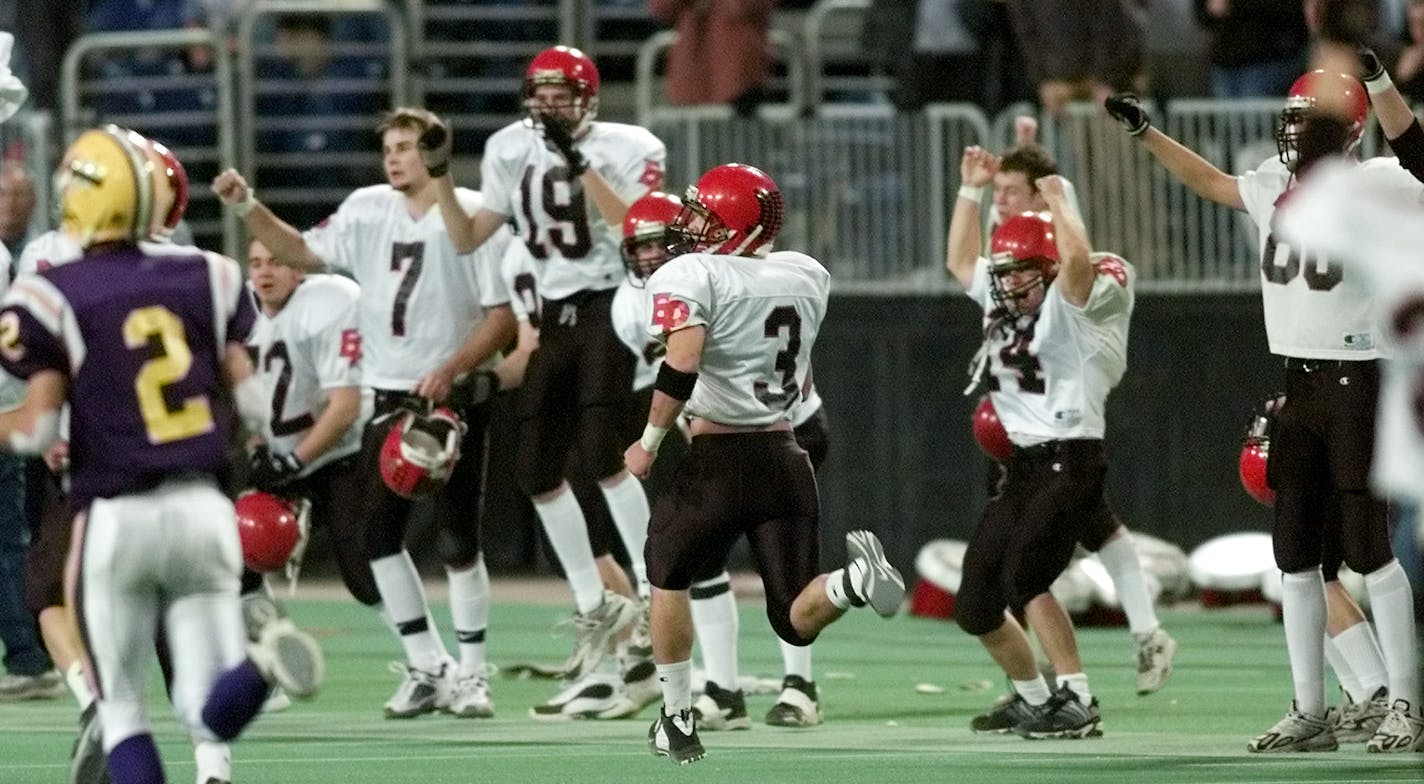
x=1255, y=46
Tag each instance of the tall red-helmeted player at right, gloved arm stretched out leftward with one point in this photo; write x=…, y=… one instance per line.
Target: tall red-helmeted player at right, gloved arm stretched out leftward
x=1319, y=319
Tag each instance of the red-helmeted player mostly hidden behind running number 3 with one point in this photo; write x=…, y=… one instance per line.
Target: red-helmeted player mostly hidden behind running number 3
x=723, y=705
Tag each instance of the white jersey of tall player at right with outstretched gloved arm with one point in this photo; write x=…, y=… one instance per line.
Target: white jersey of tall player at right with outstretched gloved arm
x=1314, y=308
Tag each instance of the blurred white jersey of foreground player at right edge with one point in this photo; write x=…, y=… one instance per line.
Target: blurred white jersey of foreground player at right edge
x=1378, y=233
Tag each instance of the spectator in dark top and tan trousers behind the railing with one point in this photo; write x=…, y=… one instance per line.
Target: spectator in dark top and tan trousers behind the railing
x=1079, y=51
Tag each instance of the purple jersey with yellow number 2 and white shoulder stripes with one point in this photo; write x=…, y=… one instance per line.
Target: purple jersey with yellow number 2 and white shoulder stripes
x=142, y=341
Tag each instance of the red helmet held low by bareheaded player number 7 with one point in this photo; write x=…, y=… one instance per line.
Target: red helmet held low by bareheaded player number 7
x=421, y=452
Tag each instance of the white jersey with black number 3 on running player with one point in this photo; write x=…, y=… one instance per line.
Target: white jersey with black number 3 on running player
x=761, y=317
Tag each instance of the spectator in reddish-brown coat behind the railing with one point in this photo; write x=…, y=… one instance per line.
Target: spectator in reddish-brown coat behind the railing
x=723, y=55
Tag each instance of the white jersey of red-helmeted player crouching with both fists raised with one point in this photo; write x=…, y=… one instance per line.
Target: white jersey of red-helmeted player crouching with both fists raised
x=1052, y=379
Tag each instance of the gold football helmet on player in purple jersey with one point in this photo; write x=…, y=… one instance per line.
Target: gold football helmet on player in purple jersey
x=106, y=187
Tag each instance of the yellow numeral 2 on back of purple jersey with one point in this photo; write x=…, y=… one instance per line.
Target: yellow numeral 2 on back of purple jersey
x=194, y=418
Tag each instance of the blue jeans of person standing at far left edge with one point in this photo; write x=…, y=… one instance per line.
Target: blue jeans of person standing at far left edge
x=23, y=654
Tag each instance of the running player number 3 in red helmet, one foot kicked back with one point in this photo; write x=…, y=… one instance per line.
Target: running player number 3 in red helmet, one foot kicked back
x=740, y=322
